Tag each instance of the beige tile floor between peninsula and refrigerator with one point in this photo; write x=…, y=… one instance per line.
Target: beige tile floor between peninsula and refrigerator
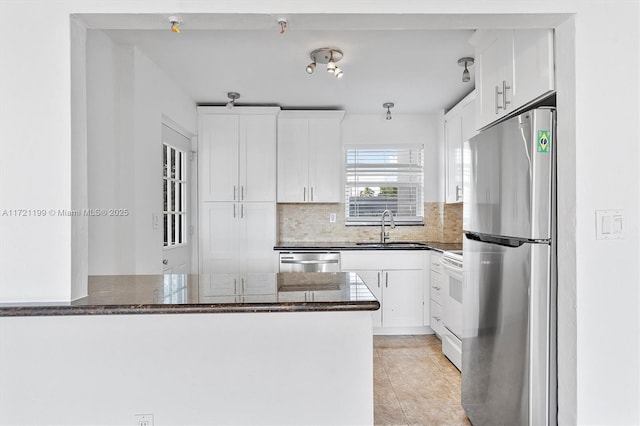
x=414, y=384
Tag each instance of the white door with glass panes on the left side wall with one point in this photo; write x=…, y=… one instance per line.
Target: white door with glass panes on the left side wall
x=176, y=156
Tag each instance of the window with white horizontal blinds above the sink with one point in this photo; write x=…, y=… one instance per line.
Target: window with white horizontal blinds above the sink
x=384, y=178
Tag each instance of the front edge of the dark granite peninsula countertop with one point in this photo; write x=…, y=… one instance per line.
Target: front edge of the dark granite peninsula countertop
x=151, y=309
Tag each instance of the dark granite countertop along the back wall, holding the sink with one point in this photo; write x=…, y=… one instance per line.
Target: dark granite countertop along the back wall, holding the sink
x=370, y=245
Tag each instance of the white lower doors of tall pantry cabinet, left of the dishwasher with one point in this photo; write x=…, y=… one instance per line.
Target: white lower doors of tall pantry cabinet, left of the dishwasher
x=236, y=249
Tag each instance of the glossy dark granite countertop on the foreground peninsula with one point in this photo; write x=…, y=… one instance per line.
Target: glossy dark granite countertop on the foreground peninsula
x=181, y=294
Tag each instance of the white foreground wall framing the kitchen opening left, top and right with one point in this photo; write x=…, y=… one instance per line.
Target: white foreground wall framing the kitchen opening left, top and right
x=598, y=303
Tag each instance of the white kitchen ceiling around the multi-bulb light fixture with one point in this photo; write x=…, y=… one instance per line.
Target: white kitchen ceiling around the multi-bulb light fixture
x=417, y=69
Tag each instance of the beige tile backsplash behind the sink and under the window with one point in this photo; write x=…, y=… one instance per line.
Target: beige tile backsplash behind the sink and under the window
x=310, y=222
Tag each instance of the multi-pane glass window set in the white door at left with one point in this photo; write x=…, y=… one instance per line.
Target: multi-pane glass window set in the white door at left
x=175, y=195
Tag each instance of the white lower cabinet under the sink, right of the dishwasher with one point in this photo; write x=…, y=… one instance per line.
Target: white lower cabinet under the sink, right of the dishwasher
x=396, y=278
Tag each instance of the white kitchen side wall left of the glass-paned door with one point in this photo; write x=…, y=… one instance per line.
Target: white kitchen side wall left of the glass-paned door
x=127, y=98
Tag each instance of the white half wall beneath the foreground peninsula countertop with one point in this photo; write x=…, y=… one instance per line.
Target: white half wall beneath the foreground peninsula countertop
x=195, y=369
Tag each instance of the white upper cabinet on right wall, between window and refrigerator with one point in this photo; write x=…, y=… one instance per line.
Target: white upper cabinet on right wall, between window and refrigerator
x=459, y=127
